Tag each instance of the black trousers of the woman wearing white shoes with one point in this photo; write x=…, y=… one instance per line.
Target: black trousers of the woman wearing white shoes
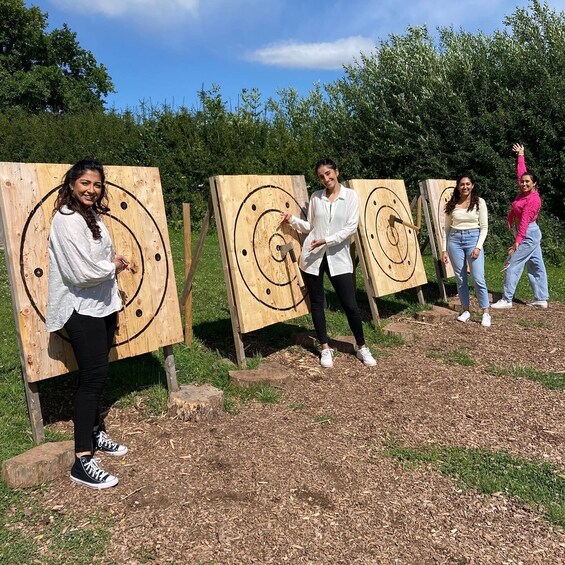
x=345, y=290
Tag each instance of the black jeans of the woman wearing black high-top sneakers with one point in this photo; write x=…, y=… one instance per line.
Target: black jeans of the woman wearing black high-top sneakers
x=91, y=339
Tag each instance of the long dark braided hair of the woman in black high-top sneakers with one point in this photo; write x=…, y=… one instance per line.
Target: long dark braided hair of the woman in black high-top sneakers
x=65, y=198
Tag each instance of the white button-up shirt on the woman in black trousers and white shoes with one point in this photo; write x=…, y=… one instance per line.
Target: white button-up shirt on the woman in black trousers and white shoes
x=333, y=221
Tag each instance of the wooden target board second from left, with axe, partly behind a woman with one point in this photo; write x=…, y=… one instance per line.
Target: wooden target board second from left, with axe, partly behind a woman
x=262, y=285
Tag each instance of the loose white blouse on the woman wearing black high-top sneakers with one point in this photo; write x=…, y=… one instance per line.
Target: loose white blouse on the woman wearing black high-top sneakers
x=82, y=275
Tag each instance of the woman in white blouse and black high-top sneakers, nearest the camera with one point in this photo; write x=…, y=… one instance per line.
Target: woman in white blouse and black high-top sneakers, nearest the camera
x=83, y=299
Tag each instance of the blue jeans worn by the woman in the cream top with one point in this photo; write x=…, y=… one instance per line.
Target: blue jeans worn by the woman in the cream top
x=460, y=245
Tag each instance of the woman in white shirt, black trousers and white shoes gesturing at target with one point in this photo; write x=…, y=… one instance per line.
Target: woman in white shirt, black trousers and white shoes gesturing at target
x=333, y=216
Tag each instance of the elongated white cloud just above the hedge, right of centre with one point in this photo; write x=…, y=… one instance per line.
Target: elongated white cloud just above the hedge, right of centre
x=328, y=56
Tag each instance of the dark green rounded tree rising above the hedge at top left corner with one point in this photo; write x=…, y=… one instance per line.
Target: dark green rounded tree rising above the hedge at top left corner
x=42, y=70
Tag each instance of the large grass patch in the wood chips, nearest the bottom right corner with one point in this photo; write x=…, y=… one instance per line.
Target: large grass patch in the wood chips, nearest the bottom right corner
x=534, y=483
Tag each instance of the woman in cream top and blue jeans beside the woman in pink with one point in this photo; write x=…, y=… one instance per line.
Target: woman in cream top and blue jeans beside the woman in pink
x=466, y=227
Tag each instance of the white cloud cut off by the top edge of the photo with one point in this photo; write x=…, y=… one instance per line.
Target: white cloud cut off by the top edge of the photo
x=145, y=10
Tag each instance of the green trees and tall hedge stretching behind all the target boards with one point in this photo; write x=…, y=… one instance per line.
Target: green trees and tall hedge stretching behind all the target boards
x=419, y=106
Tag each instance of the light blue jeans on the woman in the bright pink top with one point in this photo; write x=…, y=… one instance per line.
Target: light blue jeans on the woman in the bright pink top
x=528, y=253
